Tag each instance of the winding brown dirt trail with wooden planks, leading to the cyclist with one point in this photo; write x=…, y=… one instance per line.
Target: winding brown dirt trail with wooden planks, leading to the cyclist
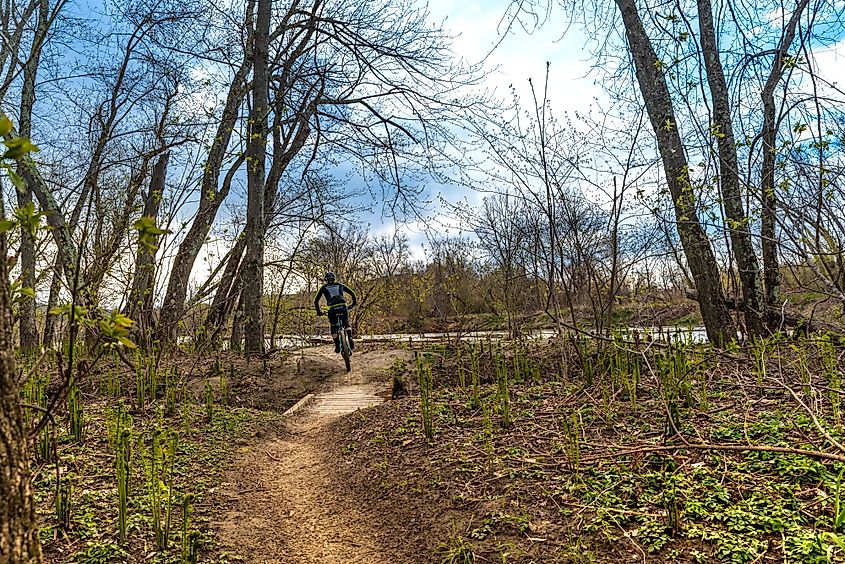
x=285, y=505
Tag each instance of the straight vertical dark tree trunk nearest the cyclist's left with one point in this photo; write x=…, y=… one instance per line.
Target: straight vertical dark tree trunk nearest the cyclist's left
x=253, y=267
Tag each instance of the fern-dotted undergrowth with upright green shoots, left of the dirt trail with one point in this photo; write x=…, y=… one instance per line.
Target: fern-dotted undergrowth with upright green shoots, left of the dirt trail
x=129, y=467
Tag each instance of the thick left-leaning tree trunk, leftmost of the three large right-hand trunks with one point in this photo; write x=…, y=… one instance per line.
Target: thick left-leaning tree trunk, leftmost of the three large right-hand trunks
x=702, y=263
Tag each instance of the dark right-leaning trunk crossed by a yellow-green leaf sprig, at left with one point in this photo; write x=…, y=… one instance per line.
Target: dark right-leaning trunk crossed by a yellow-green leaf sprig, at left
x=140, y=305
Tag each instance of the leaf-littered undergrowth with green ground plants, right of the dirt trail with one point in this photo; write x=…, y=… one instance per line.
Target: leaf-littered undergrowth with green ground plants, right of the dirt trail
x=574, y=471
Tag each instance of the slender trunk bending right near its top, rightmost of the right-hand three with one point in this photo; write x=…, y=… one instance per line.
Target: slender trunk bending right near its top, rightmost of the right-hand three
x=768, y=192
